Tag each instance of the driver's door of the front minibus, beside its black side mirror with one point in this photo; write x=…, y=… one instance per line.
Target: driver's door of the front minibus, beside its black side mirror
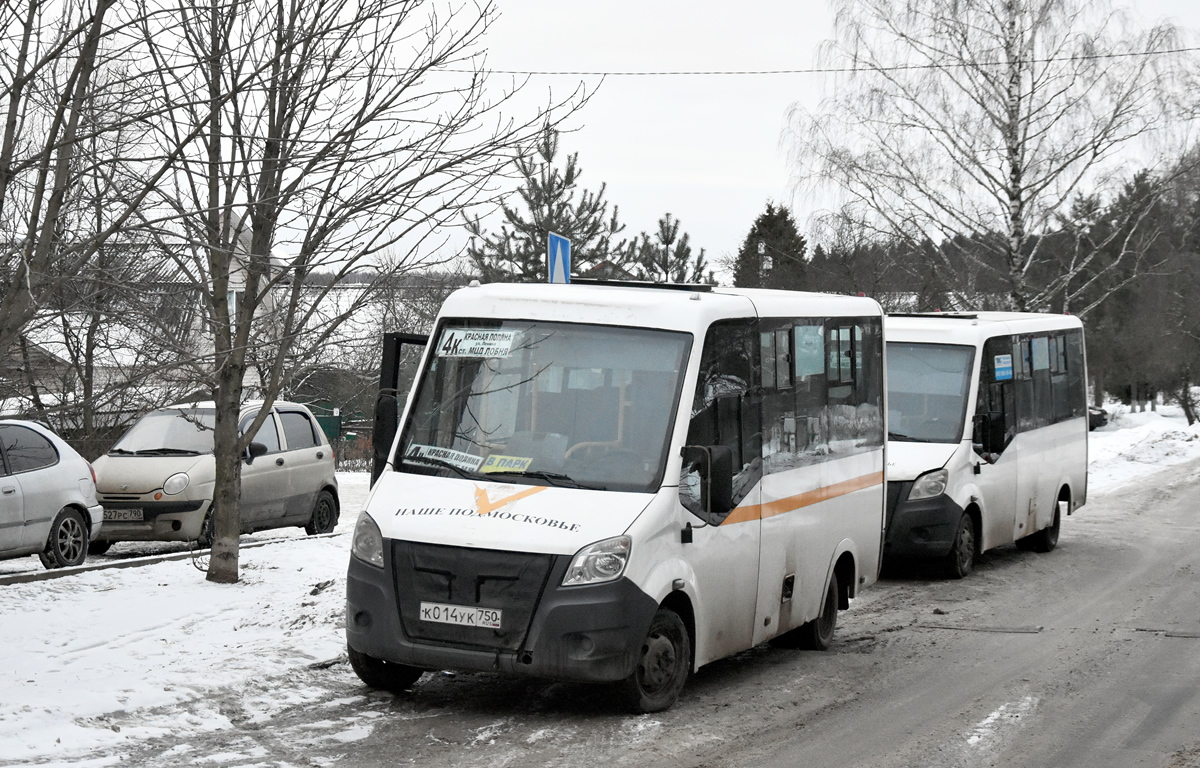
x=724, y=554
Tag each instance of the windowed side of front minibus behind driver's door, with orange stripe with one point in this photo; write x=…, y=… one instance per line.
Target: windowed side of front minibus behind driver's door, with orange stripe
x=824, y=439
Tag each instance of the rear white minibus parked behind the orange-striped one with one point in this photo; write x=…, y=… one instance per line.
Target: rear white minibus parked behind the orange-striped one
x=987, y=433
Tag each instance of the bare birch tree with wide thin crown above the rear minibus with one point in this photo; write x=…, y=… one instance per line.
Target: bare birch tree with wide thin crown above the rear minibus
x=985, y=122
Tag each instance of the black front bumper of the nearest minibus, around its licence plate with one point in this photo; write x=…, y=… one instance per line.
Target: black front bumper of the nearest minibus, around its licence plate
x=585, y=634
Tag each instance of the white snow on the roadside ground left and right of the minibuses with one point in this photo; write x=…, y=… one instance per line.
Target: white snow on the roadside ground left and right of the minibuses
x=83, y=652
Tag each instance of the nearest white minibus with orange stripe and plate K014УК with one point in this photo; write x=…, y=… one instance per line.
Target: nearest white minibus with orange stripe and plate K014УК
x=620, y=484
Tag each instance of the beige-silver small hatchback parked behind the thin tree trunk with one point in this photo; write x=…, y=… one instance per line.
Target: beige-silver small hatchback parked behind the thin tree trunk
x=157, y=482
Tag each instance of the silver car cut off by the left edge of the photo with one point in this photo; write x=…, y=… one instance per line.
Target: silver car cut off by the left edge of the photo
x=47, y=496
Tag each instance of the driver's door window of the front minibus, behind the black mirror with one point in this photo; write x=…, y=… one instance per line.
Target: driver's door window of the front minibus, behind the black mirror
x=725, y=407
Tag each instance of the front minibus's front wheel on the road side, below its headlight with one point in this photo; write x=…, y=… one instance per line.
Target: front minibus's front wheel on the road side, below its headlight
x=664, y=663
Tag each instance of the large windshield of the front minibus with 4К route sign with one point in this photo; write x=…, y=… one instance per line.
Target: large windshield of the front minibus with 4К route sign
x=547, y=404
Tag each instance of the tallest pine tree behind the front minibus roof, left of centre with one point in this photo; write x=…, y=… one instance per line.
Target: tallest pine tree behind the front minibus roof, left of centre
x=518, y=253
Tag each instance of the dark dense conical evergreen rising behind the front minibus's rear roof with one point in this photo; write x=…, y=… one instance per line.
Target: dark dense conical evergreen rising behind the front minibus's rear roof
x=773, y=255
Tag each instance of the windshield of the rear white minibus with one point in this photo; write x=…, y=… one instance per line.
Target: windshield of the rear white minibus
x=928, y=389
